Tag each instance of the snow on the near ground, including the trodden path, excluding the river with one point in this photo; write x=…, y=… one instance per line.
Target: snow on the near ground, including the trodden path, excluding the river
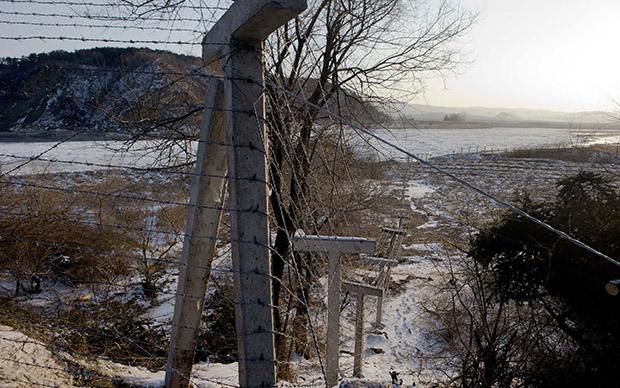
x=403, y=339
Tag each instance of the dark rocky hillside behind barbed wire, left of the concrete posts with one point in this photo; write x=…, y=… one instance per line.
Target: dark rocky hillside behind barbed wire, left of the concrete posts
x=102, y=89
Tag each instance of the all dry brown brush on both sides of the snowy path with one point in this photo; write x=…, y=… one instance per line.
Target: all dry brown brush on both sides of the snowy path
x=85, y=256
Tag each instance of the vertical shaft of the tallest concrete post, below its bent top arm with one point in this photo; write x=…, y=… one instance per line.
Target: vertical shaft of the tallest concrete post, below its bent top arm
x=250, y=221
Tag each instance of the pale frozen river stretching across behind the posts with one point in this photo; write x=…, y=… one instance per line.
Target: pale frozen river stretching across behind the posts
x=71, y=156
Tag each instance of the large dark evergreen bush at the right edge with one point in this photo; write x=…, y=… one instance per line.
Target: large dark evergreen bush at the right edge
x=559, y=325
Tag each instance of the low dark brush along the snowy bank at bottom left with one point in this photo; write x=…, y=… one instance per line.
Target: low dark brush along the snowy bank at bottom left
x=113, y=328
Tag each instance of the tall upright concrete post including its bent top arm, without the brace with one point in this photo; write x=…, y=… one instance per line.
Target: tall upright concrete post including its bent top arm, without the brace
x=239, y=35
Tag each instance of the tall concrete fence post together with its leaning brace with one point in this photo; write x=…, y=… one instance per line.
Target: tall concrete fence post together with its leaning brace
x=235, y=43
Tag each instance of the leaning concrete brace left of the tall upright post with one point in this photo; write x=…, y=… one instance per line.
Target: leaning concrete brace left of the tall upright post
x=206, y=201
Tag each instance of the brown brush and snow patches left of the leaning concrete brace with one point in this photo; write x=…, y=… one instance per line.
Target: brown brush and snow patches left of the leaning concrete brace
x=82, y=263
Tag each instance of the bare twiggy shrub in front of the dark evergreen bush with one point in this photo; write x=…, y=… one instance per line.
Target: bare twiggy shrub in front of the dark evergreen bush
x=482, y=339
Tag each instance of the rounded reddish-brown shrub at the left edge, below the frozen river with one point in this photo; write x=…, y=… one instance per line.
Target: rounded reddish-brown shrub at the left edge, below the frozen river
x=43, y=235
